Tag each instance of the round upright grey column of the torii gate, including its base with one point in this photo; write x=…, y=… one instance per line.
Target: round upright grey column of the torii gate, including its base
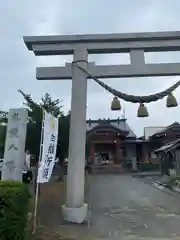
x=75, y=210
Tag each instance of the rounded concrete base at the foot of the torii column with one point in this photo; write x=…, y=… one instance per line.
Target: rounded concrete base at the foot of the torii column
x=75, y=215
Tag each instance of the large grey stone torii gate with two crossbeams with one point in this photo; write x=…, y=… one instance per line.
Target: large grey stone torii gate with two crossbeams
x=75, y=210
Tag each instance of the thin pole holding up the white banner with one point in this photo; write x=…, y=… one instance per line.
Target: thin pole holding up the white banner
x=38, y=184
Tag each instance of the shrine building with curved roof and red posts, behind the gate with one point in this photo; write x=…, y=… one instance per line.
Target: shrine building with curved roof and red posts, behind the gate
x=111, y=141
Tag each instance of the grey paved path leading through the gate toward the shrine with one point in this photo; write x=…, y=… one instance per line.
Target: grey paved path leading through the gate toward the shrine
x=127, y=208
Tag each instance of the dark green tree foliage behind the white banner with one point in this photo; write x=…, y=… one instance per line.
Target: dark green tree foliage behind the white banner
x=35, y=115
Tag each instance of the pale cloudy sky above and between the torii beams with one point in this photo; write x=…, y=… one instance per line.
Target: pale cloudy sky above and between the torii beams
x=43, y=17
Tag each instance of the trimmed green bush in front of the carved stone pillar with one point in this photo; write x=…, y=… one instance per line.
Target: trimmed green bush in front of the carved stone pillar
x=14, y=206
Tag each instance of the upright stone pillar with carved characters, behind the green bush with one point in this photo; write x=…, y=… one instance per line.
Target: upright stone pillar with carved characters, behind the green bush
x=15, y=145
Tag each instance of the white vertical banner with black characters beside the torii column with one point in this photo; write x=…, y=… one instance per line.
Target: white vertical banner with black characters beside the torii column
x=48, y=156
